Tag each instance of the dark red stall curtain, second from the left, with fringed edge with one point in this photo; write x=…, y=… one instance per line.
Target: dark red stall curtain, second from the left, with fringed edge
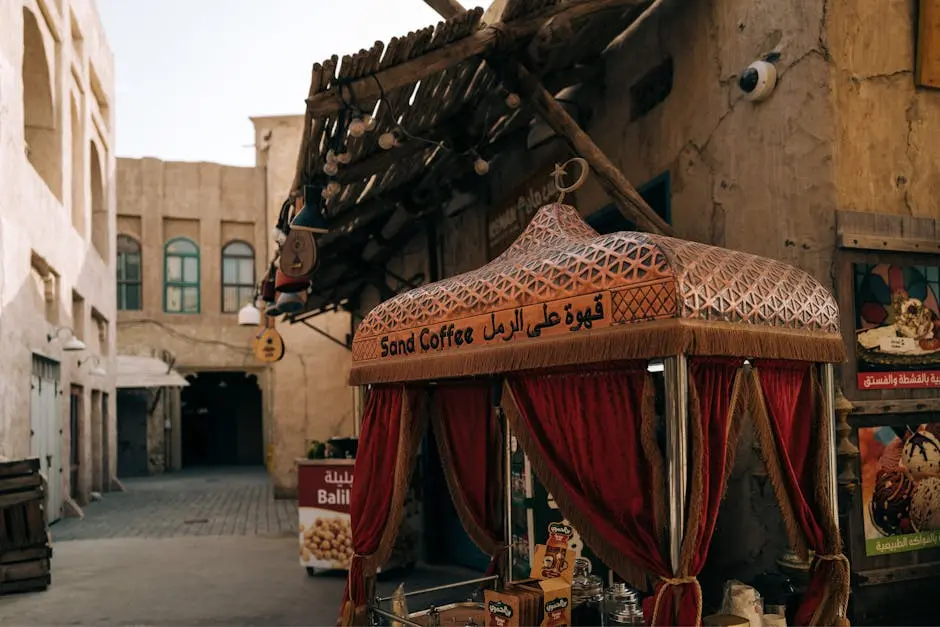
x=469, y=439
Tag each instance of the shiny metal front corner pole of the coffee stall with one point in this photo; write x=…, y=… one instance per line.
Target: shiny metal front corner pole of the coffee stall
x=677, y=416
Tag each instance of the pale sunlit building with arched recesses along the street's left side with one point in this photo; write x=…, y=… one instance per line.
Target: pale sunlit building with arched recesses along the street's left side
x=57, y=311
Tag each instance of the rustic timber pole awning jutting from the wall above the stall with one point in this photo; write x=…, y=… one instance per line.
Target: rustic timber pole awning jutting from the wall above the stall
x=441, y=91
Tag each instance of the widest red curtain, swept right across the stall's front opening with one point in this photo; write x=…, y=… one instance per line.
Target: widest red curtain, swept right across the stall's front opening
x=584, y=434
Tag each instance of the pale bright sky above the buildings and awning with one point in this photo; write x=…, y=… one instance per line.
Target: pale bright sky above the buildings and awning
x=189, y=73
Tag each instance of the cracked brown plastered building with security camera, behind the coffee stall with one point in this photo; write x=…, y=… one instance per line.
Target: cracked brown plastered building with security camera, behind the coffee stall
x=834, y=168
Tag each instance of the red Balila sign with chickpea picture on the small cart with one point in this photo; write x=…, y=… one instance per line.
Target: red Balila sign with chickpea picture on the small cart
x=325, y=532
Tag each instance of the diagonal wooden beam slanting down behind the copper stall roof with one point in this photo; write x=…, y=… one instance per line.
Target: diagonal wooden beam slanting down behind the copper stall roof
x=627, y=199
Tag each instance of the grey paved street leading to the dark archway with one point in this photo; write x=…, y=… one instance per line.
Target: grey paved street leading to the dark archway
x=194, y=548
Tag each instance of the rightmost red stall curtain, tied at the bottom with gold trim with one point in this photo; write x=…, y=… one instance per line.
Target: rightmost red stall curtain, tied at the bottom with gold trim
x=792, y=424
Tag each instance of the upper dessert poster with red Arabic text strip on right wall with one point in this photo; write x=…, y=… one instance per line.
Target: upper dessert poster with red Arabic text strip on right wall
x=897, y=323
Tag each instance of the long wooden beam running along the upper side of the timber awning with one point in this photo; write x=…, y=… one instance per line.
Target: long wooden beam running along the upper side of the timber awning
x=366, y=89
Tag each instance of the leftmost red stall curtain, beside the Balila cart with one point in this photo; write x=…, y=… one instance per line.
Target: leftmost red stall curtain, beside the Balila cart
x=373, y=488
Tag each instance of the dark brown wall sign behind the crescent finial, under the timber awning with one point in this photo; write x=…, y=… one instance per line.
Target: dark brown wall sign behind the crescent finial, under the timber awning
x=508, y=218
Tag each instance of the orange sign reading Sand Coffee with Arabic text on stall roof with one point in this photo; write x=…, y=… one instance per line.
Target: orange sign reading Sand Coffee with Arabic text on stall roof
x=549, y=319
